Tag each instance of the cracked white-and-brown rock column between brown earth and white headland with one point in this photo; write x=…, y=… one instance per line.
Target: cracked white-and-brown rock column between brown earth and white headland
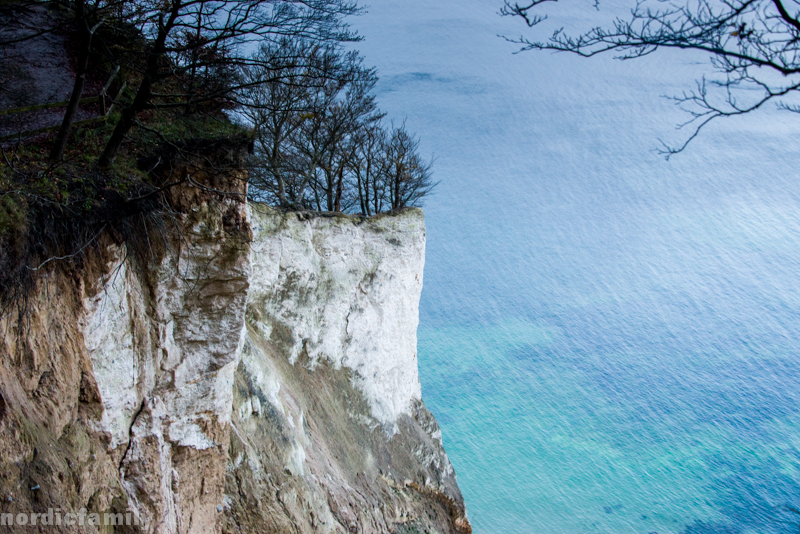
x=164, y=348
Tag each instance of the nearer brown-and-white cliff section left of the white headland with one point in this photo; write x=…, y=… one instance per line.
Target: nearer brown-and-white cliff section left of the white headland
x=117, y=381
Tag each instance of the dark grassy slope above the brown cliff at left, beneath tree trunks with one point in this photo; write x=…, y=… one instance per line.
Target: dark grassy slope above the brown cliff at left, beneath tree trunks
x=55, y=212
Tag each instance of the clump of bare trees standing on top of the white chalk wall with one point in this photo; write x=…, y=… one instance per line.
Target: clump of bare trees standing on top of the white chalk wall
x=320, y=141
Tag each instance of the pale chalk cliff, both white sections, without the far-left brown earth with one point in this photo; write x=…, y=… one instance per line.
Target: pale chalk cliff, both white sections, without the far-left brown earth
x=288, y=360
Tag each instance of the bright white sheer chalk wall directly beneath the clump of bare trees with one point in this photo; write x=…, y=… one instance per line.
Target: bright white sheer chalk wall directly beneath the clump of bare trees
x=346, y=291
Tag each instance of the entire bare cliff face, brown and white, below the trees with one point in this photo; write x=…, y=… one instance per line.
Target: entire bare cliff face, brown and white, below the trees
x=260, y=377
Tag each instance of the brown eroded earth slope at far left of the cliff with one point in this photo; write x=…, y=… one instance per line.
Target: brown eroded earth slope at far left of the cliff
x=50, y=457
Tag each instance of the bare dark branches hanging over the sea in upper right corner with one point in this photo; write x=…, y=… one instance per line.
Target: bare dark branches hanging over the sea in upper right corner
x=754, y=47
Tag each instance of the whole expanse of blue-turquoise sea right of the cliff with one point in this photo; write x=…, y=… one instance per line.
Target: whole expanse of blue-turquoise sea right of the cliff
x=608, y=340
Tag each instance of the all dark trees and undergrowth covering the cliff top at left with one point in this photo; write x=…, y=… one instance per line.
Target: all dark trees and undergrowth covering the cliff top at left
x=177, y=77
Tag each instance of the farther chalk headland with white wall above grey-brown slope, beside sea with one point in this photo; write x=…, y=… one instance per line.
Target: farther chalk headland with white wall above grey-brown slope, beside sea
x=329, y=431
